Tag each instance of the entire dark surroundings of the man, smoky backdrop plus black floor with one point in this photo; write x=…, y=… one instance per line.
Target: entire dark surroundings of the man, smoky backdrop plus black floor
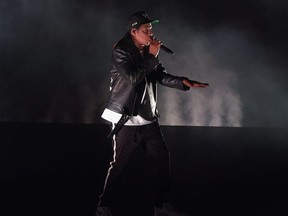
x=228, y=142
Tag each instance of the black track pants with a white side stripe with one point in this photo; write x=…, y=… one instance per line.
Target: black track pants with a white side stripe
x=150, y=137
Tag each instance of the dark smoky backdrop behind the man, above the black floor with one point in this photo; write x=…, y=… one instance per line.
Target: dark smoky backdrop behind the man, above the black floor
x=55, y=60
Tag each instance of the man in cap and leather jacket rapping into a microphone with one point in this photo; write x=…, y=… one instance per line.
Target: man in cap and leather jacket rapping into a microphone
x=132, y=110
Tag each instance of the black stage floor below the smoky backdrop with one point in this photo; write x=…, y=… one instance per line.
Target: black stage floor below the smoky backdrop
x=59, y=169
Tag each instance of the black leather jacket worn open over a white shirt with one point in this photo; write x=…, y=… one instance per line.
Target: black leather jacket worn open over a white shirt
x=128, y=73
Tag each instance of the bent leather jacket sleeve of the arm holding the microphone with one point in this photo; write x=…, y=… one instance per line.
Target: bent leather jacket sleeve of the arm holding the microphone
x=131, y=71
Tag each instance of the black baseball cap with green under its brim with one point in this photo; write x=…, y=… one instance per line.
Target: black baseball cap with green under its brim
x=139, y=18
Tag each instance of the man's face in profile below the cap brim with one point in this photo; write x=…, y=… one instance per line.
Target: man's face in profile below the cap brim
x=143, y=34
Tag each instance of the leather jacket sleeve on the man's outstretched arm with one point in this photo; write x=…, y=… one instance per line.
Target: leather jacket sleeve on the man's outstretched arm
x=169, y=80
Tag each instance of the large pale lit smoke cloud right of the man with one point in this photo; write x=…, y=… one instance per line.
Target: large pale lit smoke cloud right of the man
x=238, y=69
